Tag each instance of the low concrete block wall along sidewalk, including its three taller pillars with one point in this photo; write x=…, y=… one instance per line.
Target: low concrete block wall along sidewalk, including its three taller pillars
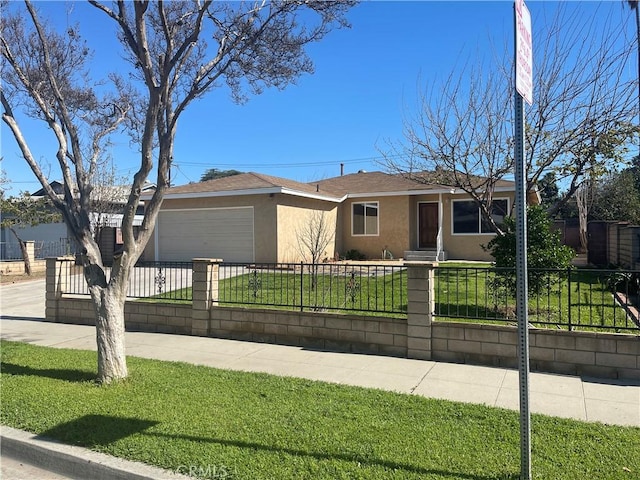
x=416, y=336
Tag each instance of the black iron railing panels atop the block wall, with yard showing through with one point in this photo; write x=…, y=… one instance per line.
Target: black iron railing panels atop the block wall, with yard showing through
x=573, y=299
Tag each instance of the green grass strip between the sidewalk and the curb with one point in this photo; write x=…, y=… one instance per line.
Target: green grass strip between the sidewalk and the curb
x=257, y=426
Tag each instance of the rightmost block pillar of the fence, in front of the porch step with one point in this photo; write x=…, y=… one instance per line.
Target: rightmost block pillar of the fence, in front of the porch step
x=420, y=308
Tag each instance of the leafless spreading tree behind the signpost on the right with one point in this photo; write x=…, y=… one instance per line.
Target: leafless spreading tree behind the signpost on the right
x=580, y=125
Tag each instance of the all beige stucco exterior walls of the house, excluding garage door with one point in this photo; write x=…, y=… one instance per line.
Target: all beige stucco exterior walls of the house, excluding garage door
x=278, y=218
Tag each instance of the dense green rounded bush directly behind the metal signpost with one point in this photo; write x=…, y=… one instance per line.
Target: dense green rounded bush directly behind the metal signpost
x=545, y=250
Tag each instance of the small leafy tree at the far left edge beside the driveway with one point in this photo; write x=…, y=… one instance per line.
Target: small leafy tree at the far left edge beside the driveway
x=25, y=211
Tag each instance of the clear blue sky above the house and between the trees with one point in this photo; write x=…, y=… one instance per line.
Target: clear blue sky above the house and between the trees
x=365, y=83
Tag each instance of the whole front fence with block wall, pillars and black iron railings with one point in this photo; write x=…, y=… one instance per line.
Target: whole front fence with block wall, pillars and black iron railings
x=449, y=312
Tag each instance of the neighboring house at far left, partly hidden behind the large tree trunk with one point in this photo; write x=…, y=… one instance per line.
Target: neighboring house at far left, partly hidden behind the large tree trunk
x=106, y=221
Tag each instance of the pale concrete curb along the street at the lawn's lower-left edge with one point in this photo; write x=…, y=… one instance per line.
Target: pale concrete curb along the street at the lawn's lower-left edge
x=75, y=462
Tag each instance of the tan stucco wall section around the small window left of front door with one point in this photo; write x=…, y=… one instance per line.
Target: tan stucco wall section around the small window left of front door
x=393, y=227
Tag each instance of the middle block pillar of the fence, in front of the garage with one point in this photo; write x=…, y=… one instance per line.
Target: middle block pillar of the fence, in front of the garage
x=205, y=293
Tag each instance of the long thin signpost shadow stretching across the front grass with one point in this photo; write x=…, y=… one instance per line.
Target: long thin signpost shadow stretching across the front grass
x=388, y=464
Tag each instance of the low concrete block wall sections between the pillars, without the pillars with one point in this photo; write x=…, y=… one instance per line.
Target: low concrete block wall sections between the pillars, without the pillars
x=601, y=355
